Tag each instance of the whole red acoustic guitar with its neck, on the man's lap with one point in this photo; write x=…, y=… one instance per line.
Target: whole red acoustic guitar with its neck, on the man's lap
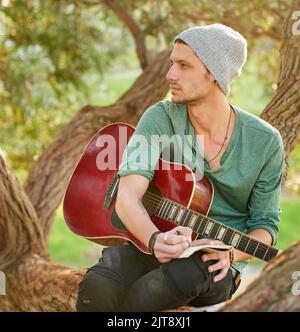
x=170, y=200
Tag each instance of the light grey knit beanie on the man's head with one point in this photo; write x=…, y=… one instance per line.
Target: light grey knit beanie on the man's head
x=221, y=49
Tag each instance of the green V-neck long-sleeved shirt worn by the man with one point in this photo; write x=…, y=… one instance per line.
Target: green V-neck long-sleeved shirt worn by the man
x=246, y=186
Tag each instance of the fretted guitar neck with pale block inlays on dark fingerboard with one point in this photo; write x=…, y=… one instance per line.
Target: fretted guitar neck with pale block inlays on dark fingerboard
x=210, y=228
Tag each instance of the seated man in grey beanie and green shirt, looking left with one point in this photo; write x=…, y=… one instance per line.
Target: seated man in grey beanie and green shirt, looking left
x=243, y=158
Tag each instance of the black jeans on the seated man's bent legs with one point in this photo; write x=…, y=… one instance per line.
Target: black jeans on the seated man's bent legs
x=125, y=279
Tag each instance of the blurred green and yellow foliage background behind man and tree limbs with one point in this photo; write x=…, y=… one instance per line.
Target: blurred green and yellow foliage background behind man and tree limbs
x=57, y=56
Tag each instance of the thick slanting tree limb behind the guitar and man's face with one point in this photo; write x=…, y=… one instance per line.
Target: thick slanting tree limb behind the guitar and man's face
x=49, y=176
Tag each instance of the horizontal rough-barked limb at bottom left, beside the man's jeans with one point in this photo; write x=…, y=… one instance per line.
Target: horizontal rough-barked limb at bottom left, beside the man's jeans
x=38, y=284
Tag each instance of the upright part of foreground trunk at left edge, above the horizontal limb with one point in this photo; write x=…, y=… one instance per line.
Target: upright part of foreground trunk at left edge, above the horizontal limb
x=20, y=231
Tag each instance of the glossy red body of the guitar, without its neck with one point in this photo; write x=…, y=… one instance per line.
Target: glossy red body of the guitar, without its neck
x=86, y=193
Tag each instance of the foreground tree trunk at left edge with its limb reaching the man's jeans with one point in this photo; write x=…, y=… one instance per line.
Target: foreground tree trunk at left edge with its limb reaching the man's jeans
x=33, y=281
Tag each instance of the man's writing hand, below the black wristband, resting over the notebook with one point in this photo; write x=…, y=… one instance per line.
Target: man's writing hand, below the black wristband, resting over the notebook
x=169, y=245
